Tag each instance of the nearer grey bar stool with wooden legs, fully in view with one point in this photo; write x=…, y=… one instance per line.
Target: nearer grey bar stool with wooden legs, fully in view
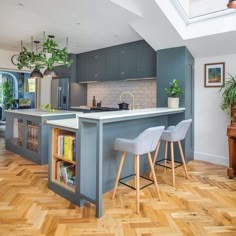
x=144, y=143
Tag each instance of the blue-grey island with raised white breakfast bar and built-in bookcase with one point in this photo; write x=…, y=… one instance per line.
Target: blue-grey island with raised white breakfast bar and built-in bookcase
x=96, y=160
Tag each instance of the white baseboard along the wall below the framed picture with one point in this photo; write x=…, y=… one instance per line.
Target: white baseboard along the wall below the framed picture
x=210, y=158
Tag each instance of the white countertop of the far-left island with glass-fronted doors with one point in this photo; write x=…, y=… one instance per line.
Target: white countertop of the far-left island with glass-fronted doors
x=34, y=112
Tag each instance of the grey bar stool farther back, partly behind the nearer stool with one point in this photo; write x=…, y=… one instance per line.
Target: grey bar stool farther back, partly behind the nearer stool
x=173, y=134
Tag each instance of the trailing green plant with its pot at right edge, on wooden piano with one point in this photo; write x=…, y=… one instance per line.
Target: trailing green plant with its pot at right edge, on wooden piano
x=229, y=98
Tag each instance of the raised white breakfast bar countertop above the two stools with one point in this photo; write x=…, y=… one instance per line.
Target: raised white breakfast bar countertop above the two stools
x=129, y=113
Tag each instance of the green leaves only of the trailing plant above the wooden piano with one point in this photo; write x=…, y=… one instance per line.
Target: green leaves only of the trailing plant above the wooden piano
x=229, y=93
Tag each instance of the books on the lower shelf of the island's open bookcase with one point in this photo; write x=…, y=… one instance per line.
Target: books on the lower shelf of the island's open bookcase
x=65, y=172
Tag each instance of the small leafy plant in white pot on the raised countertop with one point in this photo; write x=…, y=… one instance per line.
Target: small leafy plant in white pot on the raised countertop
x=174, y=92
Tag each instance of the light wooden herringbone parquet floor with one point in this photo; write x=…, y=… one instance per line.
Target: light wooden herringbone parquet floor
x=203, y=205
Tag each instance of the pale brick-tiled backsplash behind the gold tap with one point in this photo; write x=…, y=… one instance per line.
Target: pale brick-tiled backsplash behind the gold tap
x=109, y=93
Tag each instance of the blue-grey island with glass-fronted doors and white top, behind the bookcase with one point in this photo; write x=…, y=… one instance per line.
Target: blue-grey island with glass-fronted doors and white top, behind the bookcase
x=27, y=135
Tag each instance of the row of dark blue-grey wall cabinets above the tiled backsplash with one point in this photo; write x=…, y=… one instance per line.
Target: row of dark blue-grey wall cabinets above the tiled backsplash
x=126, y=61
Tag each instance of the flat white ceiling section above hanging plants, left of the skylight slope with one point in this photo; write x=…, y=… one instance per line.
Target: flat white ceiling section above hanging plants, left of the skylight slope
x=89, y=24
